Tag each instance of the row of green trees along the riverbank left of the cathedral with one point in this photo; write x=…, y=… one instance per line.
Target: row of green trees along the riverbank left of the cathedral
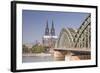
x=35, y=49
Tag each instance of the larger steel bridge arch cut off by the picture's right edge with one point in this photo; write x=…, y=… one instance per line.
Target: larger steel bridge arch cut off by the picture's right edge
x=82, y=38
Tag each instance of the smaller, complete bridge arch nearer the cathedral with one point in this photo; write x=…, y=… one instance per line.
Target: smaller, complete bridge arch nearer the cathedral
x=66, y=38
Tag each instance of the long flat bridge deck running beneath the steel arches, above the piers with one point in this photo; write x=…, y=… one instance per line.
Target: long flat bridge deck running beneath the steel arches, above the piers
x=74, y=49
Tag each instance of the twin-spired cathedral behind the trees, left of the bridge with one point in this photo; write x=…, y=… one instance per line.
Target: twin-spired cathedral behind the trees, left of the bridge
x=49, y=38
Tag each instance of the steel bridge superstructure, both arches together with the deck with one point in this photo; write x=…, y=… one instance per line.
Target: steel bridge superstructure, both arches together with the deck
x=76, y=41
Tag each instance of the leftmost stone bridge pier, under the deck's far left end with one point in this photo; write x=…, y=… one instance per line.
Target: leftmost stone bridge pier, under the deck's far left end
x=59, y=55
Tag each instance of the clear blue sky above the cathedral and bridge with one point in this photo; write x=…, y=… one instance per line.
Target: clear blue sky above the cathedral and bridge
x=34, y=23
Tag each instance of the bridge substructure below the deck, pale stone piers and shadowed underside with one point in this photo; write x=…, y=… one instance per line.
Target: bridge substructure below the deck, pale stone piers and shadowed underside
x=66, y=55
